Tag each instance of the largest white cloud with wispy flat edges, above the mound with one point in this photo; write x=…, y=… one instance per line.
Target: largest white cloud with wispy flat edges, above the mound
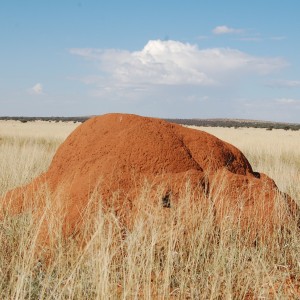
x=173, y=63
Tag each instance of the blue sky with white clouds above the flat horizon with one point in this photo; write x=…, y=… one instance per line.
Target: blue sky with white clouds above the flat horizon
x=176, y=59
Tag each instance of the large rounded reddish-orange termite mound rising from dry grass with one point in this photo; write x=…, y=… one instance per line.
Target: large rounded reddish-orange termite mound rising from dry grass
x=116, y=153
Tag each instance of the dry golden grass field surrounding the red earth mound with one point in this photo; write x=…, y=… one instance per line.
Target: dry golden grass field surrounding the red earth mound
x=160, y=258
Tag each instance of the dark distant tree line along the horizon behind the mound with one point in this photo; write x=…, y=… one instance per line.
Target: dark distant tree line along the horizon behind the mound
x=190, y=122
